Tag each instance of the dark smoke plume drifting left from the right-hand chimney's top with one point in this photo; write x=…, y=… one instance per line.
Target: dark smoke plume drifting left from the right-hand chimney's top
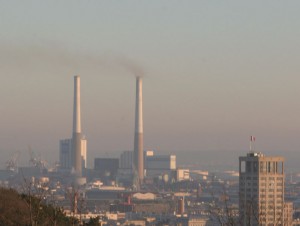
x=53, y=58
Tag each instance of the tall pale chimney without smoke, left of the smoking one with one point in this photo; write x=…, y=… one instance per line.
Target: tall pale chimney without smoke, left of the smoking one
x=76, y=137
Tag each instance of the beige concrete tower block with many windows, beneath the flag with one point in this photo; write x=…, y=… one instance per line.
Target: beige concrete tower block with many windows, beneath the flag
x=261, y=190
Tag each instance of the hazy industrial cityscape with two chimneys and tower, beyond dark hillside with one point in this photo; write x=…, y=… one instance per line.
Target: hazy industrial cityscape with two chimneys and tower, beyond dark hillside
x=145, y=187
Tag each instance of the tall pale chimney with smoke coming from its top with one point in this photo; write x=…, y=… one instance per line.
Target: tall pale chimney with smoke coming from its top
x=138, y=135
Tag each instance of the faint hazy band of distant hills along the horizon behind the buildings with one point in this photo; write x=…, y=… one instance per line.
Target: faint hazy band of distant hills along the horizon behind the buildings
x=209, y=161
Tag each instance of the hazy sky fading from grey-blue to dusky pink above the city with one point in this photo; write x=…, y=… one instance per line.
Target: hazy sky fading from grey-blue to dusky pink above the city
x=214, y=73
